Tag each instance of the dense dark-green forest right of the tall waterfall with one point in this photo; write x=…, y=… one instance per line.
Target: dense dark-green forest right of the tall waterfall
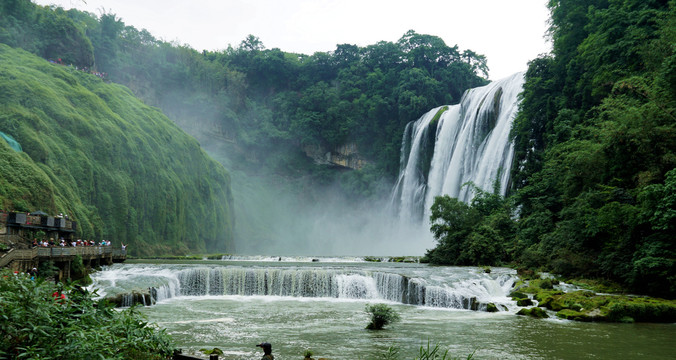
x=594, y=180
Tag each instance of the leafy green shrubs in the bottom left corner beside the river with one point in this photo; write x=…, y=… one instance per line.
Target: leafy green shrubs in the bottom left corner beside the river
x=34, y=315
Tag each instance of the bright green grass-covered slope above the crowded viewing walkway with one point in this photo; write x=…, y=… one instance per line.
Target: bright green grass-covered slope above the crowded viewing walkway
x=120, y=168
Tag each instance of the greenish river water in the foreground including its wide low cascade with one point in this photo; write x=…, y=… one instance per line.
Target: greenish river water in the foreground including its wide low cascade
x=297, y=304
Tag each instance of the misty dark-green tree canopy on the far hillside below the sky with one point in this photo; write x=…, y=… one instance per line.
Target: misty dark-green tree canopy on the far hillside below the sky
x=263, y=99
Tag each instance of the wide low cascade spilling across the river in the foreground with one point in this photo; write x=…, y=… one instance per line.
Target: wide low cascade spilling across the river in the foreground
x=464, y=288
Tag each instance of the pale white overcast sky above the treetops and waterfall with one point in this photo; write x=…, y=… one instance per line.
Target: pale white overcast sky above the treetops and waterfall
x=508, y=32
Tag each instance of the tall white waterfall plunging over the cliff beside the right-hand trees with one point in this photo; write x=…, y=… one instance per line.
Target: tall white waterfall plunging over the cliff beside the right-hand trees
x=452, y=145
